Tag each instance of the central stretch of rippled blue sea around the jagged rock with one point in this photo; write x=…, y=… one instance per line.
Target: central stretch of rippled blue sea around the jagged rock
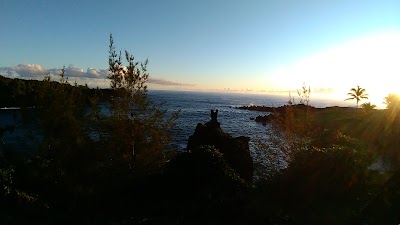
x=195, y=108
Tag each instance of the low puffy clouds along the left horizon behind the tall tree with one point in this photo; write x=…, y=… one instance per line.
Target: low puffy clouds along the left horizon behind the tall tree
x=92, y=77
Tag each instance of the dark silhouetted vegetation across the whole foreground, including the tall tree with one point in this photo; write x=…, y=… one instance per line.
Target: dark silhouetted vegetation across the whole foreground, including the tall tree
x=102, y=157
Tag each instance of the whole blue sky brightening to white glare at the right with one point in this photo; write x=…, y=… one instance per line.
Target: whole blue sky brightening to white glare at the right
x=255, y=46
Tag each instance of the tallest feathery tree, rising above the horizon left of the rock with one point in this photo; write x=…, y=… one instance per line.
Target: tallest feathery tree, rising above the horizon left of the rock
x=140, y=130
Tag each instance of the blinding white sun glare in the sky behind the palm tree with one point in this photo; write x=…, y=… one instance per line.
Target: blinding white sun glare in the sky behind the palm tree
x=372, y=63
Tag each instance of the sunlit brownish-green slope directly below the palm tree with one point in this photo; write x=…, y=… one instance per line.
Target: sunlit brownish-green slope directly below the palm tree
x=374, y=128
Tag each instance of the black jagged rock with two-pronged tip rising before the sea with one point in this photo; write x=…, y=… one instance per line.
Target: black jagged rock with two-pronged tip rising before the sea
x=235, y=150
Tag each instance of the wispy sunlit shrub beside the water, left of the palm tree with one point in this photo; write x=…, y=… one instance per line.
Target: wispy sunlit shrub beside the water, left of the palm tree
x=291, y=132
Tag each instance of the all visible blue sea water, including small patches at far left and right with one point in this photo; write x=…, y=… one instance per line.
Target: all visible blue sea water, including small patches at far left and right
x=195, y=108
